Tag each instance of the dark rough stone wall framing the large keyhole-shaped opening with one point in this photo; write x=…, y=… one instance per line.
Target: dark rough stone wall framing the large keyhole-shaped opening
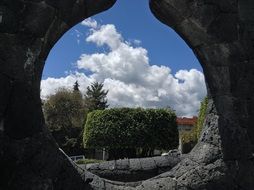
x=221, y=34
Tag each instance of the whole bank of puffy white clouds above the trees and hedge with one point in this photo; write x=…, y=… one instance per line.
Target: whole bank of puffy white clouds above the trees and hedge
x=130, y=77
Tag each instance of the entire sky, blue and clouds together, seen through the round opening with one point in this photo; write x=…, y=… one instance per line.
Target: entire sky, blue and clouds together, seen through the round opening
x=144, y=45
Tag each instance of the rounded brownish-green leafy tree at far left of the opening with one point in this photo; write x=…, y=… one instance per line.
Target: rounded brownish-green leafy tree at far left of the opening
x=64, y=115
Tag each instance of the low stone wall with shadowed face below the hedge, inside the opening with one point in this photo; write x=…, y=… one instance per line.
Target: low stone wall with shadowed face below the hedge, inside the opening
x=133, y=170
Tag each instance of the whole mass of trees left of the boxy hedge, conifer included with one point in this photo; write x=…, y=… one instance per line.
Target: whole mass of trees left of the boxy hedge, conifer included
x=65, y=114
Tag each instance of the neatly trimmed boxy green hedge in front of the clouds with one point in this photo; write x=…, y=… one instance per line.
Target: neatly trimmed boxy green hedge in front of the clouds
x=131, y=128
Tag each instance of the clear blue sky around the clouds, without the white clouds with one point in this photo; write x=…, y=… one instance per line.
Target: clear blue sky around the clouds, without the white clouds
x=134, y=20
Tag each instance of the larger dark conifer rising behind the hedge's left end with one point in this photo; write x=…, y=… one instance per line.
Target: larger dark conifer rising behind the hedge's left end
x=95, y=98
